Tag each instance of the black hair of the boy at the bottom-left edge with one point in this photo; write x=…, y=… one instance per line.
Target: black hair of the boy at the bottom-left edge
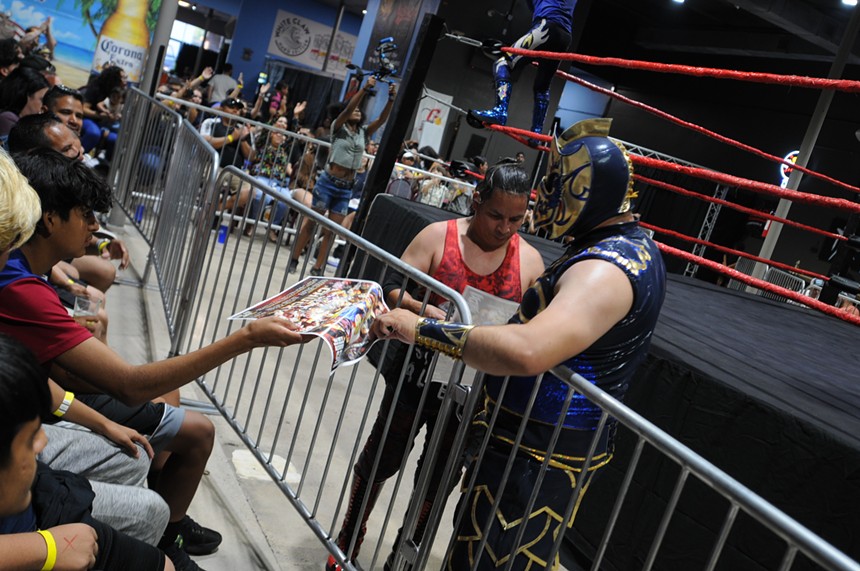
x=24, y=393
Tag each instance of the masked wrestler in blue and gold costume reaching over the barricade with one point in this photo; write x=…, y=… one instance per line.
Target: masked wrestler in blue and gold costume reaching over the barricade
x=593, y=311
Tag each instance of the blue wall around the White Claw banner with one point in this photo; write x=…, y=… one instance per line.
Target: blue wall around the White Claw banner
x=254, y=30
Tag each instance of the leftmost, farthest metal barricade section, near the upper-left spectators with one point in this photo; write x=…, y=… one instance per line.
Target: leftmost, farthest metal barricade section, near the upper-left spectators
x=141, y=158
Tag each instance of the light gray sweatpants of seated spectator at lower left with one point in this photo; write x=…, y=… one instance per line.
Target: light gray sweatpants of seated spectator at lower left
x=118, y=480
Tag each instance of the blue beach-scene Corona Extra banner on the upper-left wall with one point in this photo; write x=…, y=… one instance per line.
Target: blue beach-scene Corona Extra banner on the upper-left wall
x=89, y=34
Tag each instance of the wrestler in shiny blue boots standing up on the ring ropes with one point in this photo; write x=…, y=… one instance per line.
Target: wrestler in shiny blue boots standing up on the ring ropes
x=550, y=31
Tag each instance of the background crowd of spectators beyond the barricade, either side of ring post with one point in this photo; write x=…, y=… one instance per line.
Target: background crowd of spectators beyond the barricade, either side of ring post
x=268, y=135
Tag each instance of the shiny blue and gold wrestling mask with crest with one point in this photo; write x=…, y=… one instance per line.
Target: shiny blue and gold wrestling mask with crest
x=589, y=180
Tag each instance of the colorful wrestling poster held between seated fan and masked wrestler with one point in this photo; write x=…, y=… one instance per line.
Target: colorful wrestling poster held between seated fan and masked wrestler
x=339, y=311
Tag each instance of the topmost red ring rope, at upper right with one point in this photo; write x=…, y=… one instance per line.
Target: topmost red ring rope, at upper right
x=750, y=76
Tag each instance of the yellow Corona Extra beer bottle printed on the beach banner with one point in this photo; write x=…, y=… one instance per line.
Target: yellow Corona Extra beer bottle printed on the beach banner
x=124, y=40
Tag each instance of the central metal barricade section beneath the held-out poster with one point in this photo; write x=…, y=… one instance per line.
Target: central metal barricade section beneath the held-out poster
x=286, y=405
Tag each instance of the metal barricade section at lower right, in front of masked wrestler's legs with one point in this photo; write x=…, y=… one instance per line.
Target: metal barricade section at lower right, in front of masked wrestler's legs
x=691, y=467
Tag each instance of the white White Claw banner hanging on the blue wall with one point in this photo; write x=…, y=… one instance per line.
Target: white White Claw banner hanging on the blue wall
x=305, y=42
